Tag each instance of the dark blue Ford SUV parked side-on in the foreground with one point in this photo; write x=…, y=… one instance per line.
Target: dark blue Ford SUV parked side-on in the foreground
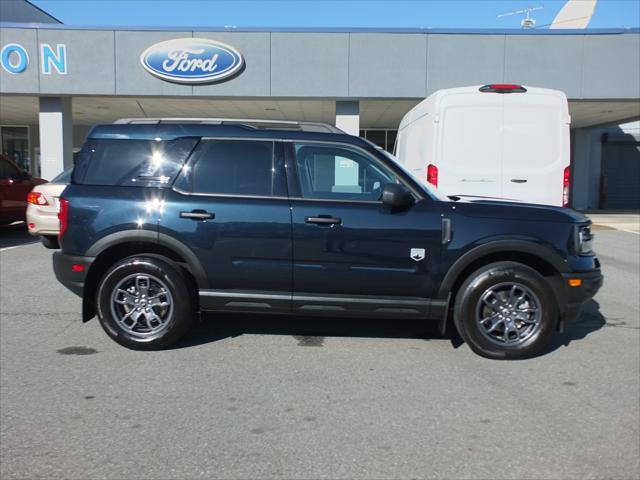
x=163, y=220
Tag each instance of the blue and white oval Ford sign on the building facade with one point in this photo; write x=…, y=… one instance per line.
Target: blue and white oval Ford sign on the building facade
x=191, y=60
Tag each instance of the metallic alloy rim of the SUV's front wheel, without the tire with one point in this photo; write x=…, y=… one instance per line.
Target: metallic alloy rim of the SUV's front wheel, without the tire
x=508, y=313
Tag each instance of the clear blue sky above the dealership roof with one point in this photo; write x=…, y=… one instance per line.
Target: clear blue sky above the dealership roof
x=328, y=13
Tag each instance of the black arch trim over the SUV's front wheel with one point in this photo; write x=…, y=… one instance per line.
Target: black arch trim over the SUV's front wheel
x=545, y=254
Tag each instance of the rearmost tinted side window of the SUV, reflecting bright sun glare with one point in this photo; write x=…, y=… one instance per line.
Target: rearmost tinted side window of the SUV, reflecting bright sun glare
x=131, y=162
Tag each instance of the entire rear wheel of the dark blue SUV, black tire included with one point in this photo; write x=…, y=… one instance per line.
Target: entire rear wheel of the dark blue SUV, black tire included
x=162, y=276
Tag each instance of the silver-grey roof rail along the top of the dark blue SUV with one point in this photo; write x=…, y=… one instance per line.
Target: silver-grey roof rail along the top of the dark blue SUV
x=249, y=122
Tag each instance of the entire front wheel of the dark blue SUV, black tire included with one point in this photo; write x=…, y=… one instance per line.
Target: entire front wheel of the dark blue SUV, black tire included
x=492, y=282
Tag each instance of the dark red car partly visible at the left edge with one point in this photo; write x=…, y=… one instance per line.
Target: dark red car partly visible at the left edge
x=15, y=184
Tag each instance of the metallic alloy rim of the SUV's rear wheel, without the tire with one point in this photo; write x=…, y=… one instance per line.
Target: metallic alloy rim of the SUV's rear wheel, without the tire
x=142, y=305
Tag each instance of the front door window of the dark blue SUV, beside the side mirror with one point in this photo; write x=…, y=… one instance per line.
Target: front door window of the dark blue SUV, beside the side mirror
x=336, y=172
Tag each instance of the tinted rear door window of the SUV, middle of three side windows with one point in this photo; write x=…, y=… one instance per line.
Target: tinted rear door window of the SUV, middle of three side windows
x=234, y=167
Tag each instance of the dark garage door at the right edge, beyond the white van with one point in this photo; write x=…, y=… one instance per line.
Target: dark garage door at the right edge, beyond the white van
x=620, y=173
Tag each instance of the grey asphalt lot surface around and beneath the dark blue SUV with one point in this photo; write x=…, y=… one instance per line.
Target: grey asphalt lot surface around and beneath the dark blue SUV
x=246, y=397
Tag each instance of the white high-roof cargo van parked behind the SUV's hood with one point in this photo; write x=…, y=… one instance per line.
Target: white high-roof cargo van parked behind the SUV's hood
x=500, y=141
